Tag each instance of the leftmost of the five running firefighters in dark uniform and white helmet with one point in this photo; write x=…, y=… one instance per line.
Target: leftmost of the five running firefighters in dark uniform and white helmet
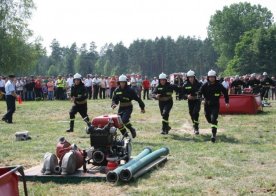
x=79, y=97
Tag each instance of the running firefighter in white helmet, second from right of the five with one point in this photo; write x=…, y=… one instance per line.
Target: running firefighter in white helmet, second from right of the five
x=191, y=92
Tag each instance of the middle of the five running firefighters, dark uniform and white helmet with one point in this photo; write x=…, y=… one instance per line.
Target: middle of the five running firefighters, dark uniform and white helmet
x=163, y=92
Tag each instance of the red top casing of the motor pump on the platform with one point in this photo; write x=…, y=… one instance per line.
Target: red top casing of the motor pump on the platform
x=101, y=121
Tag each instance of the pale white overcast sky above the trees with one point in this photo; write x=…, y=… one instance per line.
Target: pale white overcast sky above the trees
x=112, y=21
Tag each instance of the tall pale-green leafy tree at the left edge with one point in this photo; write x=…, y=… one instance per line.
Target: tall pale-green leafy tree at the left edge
x=16, y=54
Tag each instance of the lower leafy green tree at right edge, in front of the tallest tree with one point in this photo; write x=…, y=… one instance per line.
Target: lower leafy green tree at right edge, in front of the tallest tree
x=256, y=52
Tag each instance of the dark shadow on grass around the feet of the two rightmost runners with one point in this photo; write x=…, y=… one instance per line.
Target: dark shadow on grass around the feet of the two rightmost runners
x=205, y=138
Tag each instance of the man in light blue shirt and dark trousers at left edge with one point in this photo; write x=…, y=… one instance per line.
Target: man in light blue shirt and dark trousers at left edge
x=10, y=99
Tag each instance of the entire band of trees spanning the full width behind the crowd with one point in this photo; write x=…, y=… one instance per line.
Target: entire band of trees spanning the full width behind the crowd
x=241, y=39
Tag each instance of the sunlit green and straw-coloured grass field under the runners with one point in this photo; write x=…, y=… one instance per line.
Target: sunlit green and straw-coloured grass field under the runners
x=242, y=162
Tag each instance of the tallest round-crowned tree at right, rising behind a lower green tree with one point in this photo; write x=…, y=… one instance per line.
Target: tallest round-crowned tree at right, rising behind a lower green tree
x=227, y=26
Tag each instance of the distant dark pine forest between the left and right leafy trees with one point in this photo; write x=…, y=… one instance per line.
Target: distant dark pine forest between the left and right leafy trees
x=147, y=57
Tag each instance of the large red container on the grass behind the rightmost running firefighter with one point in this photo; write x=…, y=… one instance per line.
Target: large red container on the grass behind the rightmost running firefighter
x=241, y=104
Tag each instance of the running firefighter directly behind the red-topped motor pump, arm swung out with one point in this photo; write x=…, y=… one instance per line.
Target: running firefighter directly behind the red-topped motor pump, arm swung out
x=122, y=96
